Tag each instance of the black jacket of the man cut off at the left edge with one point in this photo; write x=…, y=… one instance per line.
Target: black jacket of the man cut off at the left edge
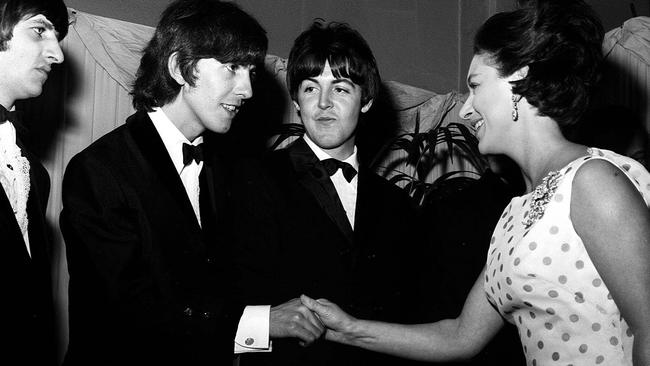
x=26, y=282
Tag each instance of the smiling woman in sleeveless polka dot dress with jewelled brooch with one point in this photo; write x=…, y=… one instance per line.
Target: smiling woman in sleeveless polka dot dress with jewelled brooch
x=569, y=261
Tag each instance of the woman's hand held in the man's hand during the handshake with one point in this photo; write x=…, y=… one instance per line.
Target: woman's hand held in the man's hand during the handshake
x=336, y=320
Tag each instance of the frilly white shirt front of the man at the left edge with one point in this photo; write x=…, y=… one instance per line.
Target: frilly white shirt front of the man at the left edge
x=14, y=177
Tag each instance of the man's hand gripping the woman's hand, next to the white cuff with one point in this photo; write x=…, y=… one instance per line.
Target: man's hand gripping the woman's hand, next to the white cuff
x=293, y=320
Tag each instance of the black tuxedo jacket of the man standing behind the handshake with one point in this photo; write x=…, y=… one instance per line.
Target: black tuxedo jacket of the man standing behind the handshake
x=295, y=238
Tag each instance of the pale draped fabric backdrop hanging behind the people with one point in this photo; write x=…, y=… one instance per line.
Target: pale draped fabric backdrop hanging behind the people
x=88, y=96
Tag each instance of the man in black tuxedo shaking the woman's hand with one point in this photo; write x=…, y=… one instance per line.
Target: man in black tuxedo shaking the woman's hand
x=145, y=207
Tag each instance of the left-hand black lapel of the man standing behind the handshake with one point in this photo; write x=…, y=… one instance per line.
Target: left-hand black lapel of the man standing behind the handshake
x=313, y=177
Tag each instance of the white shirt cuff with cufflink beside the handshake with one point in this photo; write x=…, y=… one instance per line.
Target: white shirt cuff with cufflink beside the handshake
x=253, y=330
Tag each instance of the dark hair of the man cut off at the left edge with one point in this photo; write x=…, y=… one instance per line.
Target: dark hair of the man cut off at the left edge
x=13, y=11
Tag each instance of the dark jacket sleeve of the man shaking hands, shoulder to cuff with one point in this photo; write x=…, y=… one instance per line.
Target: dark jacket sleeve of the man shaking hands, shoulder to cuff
x=122, y=291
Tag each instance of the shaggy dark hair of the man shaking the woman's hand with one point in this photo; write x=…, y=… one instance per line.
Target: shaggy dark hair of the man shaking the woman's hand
x=195, y=30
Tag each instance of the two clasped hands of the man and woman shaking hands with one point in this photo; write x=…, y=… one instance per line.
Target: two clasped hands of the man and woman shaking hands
x=308, y=320
